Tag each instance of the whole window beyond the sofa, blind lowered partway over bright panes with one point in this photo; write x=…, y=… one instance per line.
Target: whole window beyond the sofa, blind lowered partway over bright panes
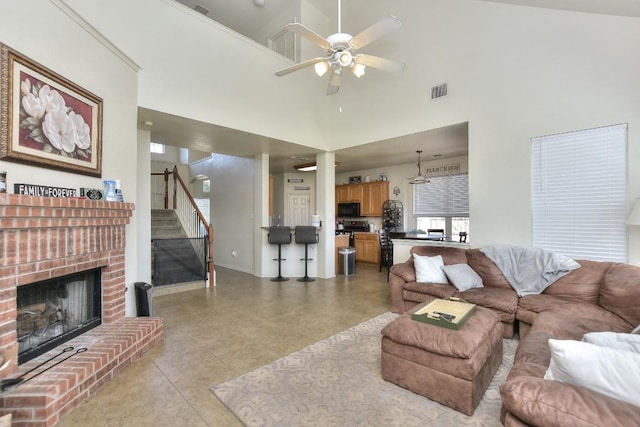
x=443, y=203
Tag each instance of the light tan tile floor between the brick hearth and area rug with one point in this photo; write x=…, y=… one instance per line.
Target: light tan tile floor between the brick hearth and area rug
x=214, y=335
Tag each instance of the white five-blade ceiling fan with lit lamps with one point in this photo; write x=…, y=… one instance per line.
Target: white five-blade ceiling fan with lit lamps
x=340, y=48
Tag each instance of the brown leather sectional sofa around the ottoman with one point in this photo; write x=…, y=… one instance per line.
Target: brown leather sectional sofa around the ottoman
x=598, y=296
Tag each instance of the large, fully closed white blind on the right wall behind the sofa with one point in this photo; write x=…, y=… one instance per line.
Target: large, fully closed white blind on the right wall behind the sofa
x=579, y=194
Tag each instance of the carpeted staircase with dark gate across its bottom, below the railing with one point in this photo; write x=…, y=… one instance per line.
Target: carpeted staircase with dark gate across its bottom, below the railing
x=175, y=259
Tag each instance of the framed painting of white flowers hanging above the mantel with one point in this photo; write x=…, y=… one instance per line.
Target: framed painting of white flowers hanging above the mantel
x=47, y=120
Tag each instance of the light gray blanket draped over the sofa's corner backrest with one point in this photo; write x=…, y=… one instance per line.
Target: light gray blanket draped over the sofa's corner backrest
x=529, y=270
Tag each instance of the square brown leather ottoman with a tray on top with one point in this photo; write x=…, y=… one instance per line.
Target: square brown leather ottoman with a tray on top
x=448, y=366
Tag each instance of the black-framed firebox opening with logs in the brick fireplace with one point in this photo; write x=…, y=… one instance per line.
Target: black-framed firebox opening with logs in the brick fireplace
x=54, y=311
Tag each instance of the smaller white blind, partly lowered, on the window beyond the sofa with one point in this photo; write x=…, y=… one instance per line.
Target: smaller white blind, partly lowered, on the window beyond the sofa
x=442, y=196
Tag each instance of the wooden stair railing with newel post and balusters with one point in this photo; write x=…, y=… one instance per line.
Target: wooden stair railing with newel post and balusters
x=190, y=216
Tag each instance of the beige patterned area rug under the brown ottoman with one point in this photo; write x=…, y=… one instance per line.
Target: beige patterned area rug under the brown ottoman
x=337, y=382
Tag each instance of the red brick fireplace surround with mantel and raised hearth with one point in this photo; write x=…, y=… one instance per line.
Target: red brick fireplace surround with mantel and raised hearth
x=43, y=238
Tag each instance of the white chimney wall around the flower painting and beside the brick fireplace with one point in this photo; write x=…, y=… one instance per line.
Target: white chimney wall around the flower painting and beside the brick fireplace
x=60, y=44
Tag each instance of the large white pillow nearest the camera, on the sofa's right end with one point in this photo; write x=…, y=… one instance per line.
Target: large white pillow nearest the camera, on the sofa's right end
x=604, y=370
